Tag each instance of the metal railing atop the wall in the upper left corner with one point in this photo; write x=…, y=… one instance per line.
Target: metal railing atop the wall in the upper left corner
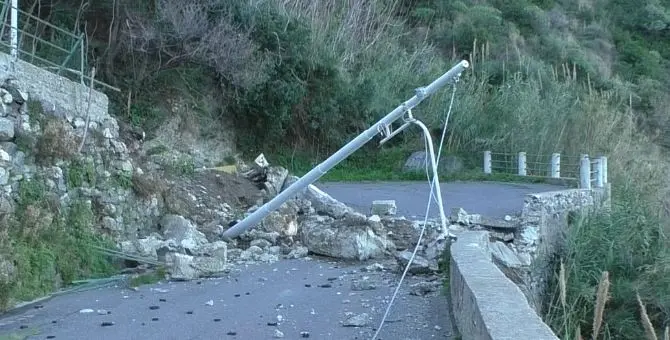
x=64, y=54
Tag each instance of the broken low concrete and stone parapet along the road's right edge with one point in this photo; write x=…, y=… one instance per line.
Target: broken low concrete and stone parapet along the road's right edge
x=487, y=303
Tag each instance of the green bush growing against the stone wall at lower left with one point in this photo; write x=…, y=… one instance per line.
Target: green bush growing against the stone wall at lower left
x=50, y=247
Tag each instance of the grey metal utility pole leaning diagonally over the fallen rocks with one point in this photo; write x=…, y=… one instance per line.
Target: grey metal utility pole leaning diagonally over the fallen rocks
x=321, y=169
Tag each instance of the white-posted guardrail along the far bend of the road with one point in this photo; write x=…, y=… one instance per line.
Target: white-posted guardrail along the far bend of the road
x=588, y=172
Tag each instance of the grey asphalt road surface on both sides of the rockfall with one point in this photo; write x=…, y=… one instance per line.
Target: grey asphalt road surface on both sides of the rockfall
x=289, y=296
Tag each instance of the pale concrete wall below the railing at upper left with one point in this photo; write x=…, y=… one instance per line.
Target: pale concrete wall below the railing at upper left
x=59, y=95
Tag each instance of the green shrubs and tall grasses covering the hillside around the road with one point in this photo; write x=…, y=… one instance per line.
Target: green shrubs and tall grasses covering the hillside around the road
x=301, y=77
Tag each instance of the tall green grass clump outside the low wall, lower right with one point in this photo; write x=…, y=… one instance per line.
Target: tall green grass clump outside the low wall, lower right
x=631, y=246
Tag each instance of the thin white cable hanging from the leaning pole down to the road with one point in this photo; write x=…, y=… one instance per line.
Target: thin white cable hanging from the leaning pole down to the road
x=425, y=221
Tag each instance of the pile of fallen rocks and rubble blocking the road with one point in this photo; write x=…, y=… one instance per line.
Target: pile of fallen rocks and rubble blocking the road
x=312, y=222
